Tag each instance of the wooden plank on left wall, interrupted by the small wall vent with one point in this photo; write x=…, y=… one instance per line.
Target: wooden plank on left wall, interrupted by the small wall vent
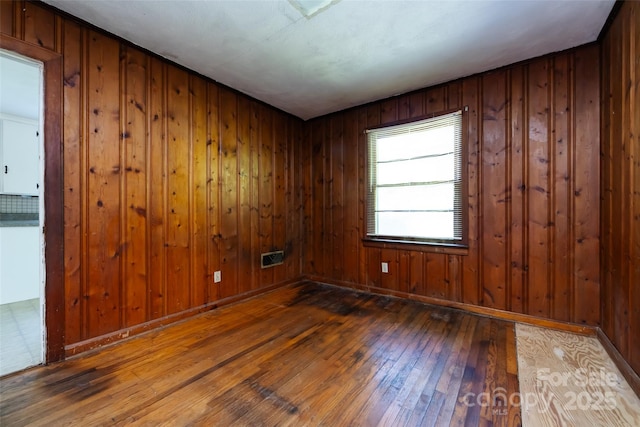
x=266, y=191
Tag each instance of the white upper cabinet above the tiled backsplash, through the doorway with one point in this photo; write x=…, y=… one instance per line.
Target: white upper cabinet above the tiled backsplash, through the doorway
x=19, y=157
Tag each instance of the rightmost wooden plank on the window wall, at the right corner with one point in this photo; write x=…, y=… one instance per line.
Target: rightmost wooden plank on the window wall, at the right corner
x=586, y=187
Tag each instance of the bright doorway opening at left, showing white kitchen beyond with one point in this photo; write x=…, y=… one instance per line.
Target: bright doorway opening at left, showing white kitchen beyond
x=22, y=260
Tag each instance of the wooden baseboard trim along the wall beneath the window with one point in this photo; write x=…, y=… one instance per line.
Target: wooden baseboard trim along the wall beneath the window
x=483, y=311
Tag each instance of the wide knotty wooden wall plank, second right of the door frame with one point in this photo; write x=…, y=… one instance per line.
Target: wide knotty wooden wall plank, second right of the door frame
x=104, y=249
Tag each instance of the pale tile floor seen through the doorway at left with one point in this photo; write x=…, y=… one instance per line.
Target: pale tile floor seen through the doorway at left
x=20, y=335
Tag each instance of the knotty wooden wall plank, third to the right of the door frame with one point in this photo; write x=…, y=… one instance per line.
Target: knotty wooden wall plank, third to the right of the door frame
x=134, y=201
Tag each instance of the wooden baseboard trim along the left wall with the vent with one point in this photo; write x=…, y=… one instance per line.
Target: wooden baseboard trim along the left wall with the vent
x=115, y=337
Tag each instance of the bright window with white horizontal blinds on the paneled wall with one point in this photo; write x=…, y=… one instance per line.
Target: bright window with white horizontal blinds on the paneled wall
x=416, y=184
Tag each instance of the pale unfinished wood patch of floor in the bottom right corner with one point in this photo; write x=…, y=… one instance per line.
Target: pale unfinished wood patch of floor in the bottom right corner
x=569, y=380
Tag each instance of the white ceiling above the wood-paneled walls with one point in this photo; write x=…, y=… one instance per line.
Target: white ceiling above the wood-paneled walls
x=350, y=53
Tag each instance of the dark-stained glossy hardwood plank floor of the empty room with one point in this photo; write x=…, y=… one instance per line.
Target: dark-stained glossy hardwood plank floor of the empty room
x=302, y=355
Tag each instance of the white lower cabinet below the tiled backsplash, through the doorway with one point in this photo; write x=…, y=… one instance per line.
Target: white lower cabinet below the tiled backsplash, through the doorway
x=19, y=264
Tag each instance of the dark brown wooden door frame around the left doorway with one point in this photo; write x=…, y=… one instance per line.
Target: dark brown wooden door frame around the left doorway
x=53, y=192
